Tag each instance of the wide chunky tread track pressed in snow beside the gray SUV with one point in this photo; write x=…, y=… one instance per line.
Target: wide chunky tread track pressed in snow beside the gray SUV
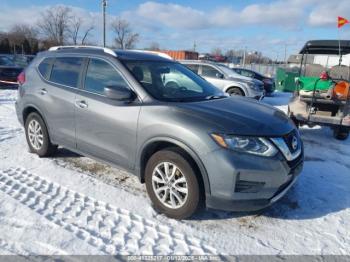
x=110, y=229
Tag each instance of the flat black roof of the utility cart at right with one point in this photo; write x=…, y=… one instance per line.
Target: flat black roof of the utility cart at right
x=326, y=47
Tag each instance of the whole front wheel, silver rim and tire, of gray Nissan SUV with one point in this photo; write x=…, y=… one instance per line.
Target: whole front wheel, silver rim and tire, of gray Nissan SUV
x=172, y=184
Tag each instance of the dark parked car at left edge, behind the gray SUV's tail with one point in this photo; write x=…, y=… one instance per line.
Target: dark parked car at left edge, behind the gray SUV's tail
x=9, y=72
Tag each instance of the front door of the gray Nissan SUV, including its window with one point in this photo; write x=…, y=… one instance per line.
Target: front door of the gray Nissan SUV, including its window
x=106, y=128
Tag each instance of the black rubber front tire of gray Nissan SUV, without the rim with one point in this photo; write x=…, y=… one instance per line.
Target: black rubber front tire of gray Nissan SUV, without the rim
x=193, y=200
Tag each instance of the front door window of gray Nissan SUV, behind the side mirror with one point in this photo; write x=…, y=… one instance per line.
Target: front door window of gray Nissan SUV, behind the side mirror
x=100, y=74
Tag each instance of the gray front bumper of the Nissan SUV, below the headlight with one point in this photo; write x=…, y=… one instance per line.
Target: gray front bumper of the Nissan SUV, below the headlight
x=249, y=183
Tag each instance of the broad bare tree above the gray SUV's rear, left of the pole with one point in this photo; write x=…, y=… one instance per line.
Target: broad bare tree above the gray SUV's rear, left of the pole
x=54, y=24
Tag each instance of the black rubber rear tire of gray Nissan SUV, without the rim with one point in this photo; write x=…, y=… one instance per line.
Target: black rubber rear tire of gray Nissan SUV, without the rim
x=47, y=148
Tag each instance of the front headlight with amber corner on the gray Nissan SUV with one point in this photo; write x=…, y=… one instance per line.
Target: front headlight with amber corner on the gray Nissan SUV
x=244, y=144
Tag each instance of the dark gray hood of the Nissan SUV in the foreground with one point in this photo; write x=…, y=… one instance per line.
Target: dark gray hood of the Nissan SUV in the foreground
x=240, y=116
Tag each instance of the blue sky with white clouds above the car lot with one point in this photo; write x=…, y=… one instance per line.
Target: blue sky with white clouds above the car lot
x=262, y=25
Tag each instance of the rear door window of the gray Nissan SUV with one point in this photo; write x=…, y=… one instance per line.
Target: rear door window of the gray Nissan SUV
x=65, y=71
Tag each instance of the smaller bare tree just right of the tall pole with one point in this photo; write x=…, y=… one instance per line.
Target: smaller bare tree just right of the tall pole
x=125, y=37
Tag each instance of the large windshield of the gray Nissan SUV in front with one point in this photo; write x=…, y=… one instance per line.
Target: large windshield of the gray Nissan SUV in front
x=169, y=81
